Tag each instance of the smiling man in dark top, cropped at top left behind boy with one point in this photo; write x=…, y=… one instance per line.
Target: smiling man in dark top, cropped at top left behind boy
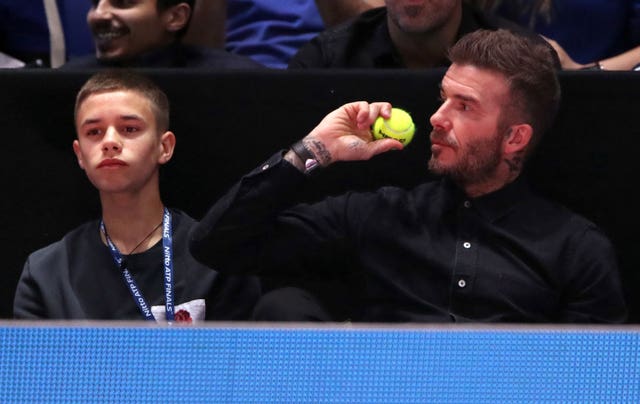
x=148, y=33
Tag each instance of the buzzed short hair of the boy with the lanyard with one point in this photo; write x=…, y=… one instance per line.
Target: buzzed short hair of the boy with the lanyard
x=112, y=80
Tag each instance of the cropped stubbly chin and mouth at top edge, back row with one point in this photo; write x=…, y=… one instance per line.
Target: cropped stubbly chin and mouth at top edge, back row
x=421, y=16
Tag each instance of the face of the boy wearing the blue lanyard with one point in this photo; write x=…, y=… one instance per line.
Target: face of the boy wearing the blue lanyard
x=118, y=143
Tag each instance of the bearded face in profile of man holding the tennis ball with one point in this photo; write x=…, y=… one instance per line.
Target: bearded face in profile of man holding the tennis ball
x=467, y=141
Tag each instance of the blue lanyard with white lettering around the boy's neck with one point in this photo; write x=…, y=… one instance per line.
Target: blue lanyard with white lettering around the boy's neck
x=167, y=249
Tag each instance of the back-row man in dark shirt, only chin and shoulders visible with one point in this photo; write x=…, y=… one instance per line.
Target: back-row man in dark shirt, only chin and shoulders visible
x=404, y=34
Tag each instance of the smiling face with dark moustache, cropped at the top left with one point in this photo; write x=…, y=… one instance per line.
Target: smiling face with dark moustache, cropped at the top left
x=124, y=29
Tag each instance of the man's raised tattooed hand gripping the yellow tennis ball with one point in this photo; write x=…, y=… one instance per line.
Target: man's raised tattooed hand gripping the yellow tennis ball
x=345, y=135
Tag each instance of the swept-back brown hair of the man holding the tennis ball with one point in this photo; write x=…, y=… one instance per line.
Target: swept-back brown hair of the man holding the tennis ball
x=528, y=63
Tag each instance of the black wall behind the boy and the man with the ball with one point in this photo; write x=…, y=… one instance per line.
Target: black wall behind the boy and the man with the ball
x=228, y=122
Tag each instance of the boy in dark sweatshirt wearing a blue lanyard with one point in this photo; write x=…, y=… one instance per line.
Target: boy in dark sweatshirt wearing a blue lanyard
x=133, y=263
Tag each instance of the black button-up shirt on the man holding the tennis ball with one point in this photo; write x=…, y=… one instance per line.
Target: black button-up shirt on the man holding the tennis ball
x=428, y=254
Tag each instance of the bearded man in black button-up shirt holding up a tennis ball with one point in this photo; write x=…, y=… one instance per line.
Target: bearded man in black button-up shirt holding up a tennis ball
x=476, y=244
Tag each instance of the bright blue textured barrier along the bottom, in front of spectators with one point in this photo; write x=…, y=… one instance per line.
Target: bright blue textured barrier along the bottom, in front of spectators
x=265, y=363
